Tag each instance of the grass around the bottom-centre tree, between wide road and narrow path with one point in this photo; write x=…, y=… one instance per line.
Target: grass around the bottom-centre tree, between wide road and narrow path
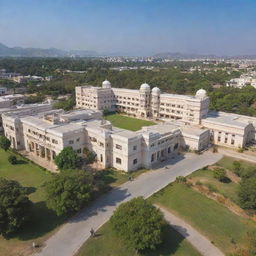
x=106, y=243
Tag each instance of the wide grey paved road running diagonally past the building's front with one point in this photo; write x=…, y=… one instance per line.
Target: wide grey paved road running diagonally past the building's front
x=71, y=236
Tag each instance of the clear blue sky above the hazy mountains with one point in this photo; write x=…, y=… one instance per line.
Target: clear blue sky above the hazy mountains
x=134, y=27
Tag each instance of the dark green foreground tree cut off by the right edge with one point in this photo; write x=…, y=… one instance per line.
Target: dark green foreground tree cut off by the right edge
x=247, y=193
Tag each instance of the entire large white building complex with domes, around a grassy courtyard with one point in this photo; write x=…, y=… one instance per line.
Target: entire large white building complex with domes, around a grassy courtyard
x=183, y=122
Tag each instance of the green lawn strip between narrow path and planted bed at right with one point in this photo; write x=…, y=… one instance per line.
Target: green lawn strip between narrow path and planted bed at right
x=219, y=224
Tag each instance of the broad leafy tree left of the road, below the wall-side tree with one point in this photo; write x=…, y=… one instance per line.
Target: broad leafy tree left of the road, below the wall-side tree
x=69, y=191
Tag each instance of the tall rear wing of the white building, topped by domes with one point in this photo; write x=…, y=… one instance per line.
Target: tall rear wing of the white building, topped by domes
x=144, y=103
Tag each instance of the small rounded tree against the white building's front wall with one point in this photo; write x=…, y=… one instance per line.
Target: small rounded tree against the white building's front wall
x=68, y=159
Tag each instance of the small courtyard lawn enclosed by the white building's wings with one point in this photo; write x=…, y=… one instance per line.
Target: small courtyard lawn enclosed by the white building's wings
x=128, y=123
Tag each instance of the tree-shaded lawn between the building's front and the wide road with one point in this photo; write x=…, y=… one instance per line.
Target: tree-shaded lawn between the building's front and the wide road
x=43, y=221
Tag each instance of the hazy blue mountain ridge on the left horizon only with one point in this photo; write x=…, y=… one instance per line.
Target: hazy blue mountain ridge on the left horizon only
x=6, y=51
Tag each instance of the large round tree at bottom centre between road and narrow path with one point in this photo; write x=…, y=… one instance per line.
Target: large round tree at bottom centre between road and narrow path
x=139, y=223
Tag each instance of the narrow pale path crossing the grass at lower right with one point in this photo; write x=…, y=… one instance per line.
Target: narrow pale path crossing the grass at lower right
x=200, y=242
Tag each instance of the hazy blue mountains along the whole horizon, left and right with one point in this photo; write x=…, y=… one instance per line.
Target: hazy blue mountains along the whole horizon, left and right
x=6, y=51
